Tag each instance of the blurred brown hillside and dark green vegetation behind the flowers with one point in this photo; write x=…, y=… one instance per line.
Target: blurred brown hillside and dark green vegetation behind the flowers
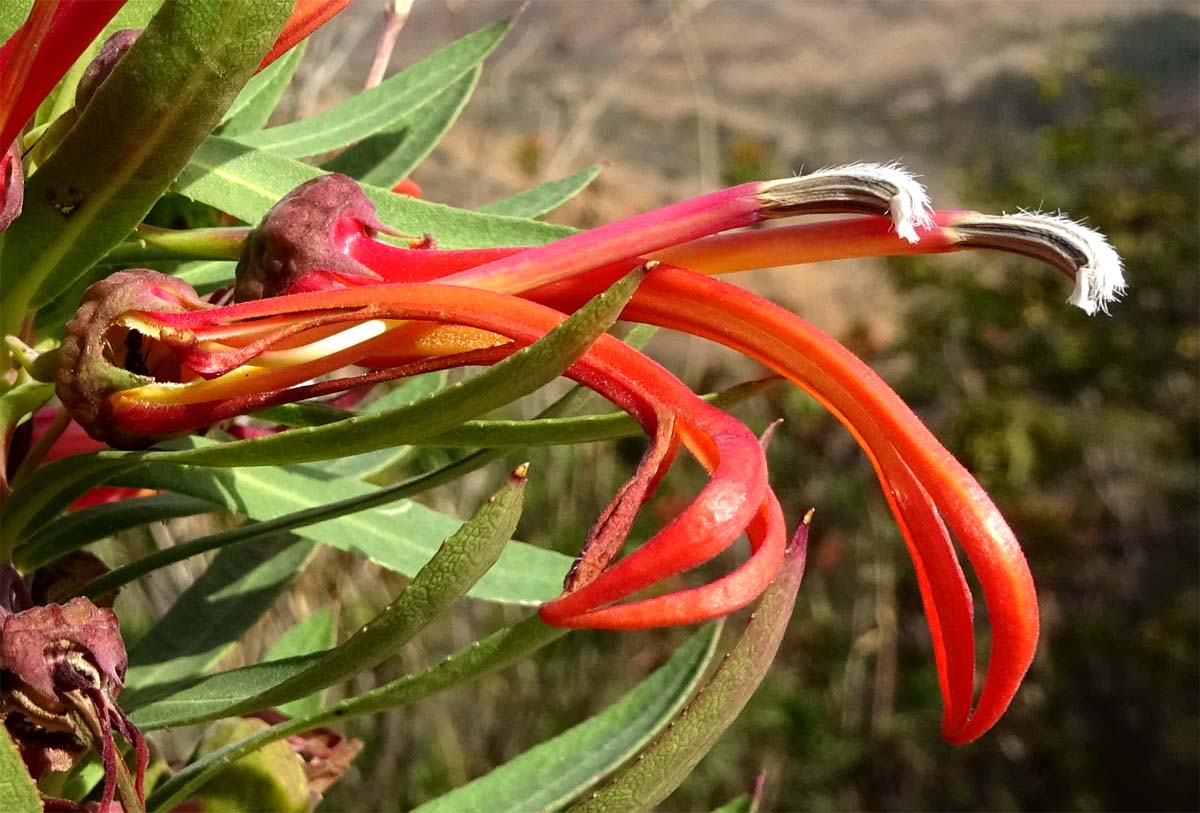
x=1084, y=430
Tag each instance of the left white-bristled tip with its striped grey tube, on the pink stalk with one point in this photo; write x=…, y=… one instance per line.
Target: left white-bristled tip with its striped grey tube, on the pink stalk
x=859, y=188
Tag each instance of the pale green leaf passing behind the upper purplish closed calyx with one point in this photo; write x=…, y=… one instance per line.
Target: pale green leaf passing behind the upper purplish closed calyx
x=245, y=183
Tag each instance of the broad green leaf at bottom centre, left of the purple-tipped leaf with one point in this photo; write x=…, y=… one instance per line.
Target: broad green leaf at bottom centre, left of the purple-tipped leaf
x=553, y=774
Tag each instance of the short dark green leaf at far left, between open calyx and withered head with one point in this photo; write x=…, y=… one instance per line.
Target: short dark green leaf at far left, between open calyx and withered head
x=74, y=531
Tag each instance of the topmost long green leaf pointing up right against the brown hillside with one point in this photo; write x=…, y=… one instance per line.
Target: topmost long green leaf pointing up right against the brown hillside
x=368, y=113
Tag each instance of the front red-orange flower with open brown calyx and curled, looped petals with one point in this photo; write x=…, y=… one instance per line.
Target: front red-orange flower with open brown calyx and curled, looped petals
x=193, y=364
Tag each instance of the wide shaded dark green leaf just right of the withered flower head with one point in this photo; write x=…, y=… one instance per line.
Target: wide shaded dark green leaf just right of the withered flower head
x=211, y=617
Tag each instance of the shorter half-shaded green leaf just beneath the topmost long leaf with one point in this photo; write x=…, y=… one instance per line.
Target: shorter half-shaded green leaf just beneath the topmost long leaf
x=387, y=158
